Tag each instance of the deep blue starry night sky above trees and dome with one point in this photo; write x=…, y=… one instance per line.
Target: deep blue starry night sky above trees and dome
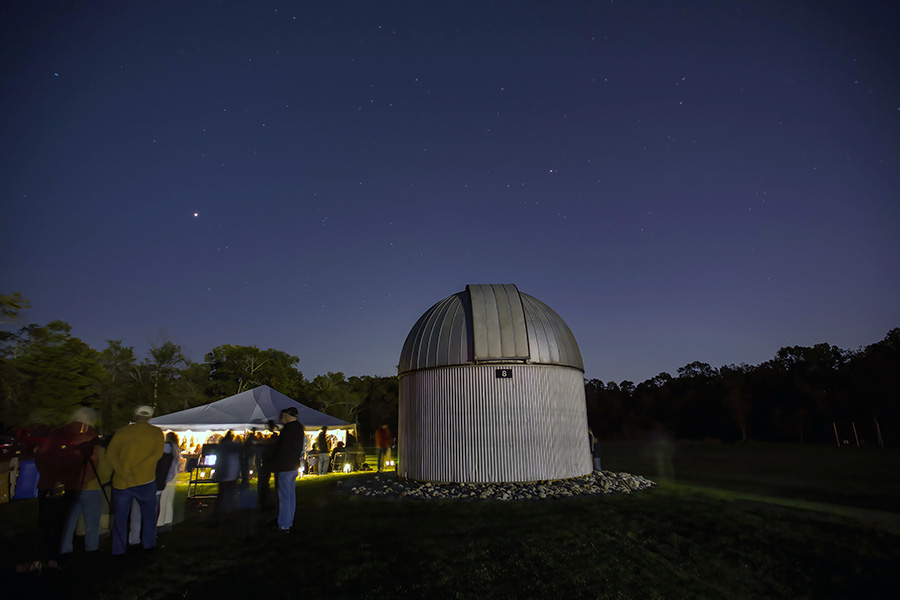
x=680, y=181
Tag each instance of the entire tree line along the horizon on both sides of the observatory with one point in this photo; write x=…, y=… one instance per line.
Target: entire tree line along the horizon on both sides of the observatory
x=802, y=394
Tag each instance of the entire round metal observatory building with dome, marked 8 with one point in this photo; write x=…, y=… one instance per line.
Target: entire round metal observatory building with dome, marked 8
x=491, y=389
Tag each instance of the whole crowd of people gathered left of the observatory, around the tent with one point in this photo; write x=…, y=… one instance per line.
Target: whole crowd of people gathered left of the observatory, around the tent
x=135, y=472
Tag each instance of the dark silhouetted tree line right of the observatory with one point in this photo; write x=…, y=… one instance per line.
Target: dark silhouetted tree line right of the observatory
x=806, y=394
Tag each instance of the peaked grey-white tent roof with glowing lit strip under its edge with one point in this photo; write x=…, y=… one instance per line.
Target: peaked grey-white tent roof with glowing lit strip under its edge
x=244, y=412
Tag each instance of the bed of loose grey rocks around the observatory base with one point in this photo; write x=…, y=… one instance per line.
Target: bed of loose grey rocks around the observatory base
x=600, y=482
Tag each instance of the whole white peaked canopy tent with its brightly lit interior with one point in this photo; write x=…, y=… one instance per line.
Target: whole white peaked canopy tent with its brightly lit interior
x=200, y=428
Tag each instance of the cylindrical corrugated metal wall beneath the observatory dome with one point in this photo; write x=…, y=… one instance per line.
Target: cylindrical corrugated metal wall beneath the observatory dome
x=464, y=424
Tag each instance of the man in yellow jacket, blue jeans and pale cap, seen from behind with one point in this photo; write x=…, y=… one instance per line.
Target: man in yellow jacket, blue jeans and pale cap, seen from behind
x=133, y=453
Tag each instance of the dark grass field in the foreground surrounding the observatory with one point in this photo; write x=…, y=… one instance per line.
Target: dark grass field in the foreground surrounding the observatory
x=742, y=521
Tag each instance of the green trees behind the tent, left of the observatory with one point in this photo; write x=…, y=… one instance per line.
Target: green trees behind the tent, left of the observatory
x=46, y=373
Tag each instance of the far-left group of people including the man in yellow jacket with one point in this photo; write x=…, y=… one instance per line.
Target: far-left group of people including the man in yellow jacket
x=134, y=474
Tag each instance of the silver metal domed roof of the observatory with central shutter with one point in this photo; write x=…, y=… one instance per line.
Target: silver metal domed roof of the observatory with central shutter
x=489, y=323
